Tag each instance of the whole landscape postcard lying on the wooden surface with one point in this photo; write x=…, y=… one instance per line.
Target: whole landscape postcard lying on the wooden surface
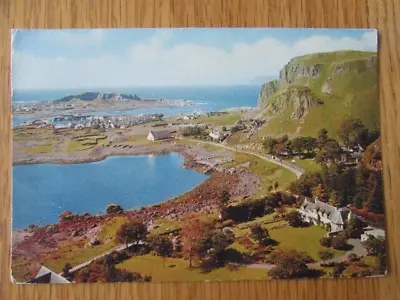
x=196, y=154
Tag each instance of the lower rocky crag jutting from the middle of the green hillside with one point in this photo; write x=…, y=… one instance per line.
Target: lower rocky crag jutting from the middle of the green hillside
x=300, y=100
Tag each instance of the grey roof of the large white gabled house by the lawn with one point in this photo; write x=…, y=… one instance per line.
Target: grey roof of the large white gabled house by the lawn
x=334, y=214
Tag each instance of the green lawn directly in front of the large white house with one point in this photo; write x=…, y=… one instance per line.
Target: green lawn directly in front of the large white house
x=301, y=239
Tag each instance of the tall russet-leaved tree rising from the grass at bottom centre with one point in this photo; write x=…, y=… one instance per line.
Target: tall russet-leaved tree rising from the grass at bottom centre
x=192, y=232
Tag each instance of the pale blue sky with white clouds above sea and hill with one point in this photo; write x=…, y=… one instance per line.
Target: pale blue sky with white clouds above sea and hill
x=144, y=57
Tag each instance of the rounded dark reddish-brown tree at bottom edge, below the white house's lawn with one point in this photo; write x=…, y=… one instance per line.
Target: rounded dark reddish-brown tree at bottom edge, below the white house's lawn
x=289, y=264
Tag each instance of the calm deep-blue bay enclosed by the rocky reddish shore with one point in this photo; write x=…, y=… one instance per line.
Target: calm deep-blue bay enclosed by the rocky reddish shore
x=41, y=192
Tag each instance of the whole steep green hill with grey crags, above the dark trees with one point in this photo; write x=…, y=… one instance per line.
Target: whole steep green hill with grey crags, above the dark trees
x=320, y=90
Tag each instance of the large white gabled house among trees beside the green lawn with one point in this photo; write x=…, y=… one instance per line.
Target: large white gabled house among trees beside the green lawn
x=322, y=213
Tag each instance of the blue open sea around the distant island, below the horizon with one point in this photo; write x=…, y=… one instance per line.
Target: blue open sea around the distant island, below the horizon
x=206, y=98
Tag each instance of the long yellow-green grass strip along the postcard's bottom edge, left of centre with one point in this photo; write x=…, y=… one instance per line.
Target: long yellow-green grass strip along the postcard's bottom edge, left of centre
x=176, y=269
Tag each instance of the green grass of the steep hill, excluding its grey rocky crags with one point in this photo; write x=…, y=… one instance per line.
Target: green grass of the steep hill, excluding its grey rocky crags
x=355, y=94
